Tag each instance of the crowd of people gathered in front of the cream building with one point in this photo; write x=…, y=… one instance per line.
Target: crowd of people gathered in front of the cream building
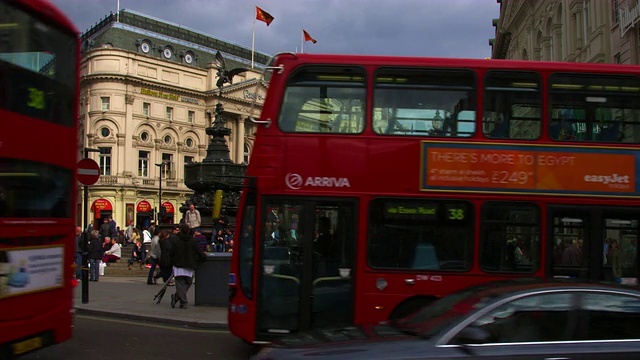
x=170, y=253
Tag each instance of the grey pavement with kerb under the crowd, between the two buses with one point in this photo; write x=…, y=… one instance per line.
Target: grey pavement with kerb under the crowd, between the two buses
x=131, y=298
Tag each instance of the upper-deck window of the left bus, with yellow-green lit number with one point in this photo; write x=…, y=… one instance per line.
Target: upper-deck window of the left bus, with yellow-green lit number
x=37, y=62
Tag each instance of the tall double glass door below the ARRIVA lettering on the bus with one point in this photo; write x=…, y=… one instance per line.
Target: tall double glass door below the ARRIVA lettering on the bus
x=307, y=264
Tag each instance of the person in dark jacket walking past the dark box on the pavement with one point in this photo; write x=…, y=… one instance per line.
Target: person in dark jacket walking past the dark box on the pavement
x=185, y=254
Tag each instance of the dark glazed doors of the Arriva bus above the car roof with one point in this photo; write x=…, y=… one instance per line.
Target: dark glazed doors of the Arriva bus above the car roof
x=593, y=243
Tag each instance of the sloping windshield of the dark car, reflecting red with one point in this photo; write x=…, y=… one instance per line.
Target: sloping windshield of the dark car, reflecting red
x=444, y=312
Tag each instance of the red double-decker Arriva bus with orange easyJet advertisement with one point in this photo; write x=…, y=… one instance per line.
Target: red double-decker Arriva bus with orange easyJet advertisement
x=378, y=184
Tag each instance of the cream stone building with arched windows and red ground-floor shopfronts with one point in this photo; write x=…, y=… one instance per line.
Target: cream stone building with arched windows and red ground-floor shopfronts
x=148, y=92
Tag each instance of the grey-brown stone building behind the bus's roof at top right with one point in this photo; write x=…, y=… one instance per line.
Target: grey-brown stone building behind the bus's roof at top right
x=568, y=30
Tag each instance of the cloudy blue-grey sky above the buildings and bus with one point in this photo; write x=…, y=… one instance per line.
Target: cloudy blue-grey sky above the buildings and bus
x=437, y=28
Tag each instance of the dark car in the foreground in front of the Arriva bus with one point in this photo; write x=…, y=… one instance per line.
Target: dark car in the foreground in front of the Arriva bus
x=524, y=319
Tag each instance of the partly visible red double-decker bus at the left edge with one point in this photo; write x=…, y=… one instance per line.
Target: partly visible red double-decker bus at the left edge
x=39, y=60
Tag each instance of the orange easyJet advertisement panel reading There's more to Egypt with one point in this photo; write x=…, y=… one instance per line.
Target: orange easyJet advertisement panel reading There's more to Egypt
x=529, y=169
